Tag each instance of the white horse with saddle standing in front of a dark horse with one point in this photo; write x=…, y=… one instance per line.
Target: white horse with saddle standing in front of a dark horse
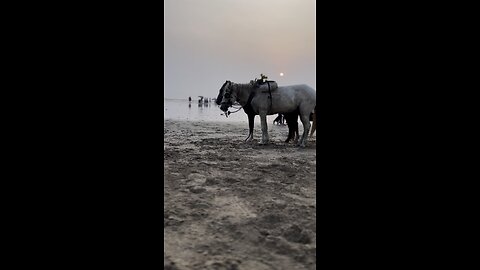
x=284, y=99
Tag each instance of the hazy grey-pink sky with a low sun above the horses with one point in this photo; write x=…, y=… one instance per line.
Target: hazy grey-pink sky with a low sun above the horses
x=210, y=41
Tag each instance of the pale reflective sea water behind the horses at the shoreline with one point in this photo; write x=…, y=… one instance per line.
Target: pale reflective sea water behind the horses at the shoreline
x=182, y=109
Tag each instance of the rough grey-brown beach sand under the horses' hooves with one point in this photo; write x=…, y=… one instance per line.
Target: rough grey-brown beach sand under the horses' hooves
x=235, y=205
